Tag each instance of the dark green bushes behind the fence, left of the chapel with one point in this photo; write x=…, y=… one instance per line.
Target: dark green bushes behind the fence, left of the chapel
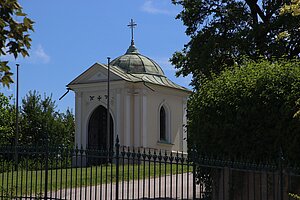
x=39, y=122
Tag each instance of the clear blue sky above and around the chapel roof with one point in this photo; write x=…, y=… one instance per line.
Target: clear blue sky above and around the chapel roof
x=71, y=35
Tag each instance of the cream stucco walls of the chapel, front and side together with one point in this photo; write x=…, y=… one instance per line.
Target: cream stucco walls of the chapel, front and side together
x=135, y=112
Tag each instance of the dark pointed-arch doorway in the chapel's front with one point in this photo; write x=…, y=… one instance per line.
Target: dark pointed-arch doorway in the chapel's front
x=97, y=131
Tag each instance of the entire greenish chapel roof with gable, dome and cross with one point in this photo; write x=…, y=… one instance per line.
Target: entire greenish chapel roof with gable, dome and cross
x=132, y=67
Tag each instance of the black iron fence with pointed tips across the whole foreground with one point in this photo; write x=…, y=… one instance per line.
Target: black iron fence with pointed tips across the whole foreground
x=129, y=173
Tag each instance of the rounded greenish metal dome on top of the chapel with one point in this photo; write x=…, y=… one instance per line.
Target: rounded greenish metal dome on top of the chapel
x=134, y=63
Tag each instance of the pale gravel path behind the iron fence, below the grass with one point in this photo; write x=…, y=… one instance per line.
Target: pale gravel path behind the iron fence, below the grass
x=153, y=188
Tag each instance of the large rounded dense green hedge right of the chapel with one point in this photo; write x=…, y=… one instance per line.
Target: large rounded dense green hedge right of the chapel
x=248, y=112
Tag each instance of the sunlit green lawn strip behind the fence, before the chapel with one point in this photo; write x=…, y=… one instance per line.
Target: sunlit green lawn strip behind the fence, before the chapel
x=33, y=182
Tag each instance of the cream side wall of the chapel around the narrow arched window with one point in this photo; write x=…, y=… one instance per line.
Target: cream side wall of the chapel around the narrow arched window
x=173, y=102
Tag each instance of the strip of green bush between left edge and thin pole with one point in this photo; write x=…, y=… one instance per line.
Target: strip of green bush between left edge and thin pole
x=7, y=121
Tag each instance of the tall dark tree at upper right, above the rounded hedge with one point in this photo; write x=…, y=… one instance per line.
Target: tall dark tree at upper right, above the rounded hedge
x=223, y=32
